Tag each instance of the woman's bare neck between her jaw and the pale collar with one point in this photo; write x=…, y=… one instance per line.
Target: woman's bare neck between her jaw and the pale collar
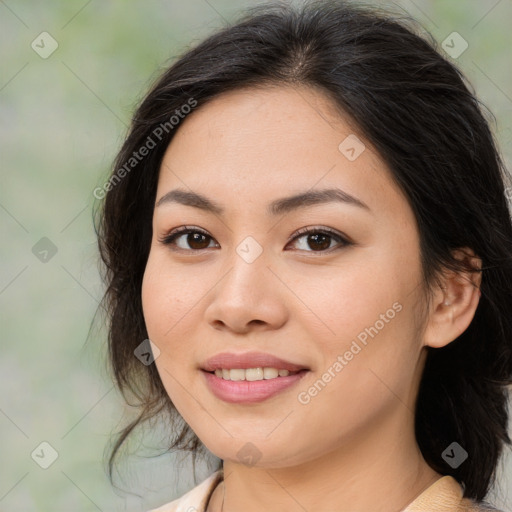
x=382, y=472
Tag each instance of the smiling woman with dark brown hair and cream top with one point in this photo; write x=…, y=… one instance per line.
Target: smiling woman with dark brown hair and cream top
x=308, y=219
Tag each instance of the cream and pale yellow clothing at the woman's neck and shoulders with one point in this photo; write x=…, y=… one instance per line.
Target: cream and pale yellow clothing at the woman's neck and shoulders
x=444, y=495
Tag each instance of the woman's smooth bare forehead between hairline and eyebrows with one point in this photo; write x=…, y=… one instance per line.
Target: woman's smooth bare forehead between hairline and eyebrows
x=259, y=142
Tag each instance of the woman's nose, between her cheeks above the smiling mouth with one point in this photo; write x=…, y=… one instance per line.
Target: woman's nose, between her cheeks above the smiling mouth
x=248, y=296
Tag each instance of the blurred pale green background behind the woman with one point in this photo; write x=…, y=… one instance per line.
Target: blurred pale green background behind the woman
x=62, y=119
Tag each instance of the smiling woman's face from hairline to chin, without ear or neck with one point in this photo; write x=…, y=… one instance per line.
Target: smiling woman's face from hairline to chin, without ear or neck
x=343, y=309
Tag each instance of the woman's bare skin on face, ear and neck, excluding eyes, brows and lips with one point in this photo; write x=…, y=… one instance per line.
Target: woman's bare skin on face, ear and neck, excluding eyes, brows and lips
x=353, y=443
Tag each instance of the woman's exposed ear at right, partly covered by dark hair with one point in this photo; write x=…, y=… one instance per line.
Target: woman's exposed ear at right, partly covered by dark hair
x=454, y=302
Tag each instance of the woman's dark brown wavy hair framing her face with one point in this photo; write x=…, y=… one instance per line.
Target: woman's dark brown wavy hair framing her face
x=414, y=106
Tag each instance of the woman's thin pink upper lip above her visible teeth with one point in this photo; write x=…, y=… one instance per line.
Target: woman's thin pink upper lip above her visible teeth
x=230, y=360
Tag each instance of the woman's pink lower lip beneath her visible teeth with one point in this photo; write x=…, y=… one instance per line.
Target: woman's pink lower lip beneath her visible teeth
x=248, y=392
